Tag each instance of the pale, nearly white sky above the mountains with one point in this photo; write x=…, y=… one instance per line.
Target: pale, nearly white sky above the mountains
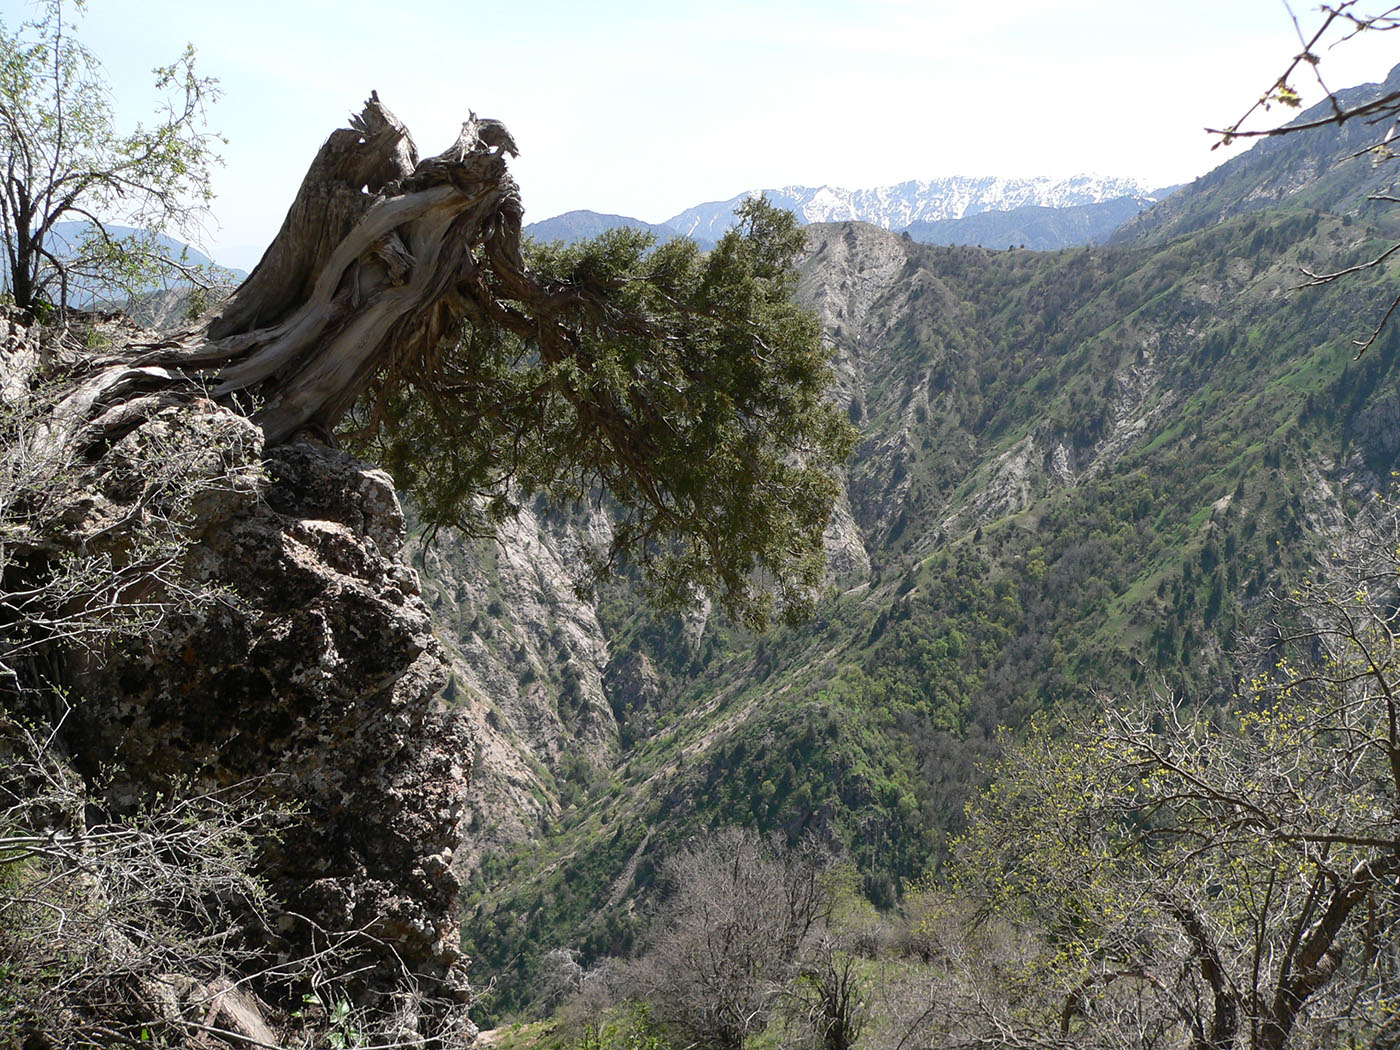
x=649, y=108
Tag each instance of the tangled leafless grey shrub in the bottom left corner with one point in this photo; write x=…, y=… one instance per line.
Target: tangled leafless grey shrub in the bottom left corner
x=114, y=930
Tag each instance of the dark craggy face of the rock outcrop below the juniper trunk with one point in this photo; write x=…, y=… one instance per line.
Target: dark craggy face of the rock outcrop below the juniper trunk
x=320, y=678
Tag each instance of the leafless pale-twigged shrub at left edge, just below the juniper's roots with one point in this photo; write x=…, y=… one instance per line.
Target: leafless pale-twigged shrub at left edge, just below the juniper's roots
x=93, y=554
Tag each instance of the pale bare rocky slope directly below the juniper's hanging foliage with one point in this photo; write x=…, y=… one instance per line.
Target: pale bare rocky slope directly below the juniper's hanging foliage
x=530, y=661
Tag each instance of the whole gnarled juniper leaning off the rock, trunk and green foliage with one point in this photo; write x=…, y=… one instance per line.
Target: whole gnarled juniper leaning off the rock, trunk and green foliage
x=398, y=307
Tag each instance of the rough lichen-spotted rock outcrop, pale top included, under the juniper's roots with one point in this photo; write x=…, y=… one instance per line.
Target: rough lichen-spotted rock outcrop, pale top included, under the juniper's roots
x=309, y=675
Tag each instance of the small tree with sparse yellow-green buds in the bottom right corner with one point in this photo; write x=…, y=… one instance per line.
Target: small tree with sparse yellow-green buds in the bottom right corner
x=1189, y=880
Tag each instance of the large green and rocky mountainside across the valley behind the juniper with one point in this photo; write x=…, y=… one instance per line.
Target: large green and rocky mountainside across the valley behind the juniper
x=1081, y=474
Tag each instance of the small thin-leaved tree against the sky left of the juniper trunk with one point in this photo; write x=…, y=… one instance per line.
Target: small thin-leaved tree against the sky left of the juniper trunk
x=64, y=162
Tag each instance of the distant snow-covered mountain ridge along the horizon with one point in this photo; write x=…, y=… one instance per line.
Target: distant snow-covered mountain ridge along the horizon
x=918, y=201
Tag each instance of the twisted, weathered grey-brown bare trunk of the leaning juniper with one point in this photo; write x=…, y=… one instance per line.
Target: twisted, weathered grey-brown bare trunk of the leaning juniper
x=380, y=258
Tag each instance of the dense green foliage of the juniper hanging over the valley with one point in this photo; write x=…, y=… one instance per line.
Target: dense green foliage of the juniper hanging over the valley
x=691, y=393
